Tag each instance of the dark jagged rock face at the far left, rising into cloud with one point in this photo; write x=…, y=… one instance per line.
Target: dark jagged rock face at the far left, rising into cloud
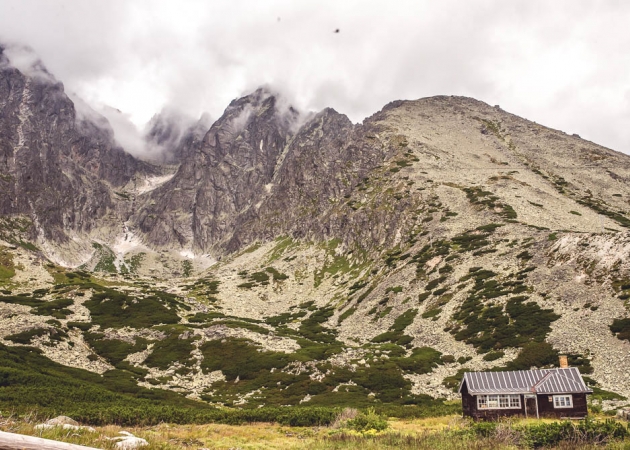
x=55, y=167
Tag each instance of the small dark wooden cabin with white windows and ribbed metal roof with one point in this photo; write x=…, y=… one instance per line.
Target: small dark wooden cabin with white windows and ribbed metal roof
x=537, y=393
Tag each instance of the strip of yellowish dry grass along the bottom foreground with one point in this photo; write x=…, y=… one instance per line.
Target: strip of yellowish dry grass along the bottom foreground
x=439, y=433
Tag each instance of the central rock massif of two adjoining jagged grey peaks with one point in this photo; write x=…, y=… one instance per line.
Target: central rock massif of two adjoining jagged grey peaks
x=253, y=179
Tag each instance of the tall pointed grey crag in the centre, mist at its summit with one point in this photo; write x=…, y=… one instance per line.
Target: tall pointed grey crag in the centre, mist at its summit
x=223, y=177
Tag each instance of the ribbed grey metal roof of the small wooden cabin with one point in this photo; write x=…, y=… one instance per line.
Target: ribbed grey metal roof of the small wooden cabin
x=541, y=381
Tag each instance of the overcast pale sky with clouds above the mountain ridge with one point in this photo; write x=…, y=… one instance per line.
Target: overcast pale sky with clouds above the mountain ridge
x=561, y=63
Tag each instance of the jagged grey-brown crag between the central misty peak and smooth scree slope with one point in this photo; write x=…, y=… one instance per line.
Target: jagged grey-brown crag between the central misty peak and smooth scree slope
x=326, y=161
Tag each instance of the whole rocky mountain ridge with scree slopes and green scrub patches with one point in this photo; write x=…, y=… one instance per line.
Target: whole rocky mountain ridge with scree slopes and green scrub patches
x=358, y=263
